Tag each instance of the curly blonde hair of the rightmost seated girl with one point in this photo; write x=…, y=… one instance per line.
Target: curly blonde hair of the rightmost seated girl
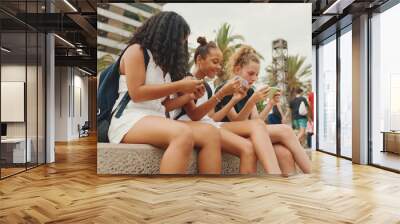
x=243, y=56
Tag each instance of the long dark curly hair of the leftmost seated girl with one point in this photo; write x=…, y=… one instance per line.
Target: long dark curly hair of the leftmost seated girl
x=165, y=35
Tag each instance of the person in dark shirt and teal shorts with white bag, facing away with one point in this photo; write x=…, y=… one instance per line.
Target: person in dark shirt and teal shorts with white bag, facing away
x=299, y=108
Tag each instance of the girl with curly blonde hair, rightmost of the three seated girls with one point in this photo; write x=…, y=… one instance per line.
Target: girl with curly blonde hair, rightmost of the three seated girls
x=245, y=63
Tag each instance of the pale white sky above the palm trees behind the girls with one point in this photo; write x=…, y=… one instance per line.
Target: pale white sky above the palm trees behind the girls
x=258, y=23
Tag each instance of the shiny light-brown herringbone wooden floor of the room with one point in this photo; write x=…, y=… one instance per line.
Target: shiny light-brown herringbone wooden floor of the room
x=69, y=191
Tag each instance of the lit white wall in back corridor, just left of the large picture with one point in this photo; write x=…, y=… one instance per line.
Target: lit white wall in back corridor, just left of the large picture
x=68, y=83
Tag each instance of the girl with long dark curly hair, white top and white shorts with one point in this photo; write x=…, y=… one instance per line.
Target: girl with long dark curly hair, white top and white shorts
x=164, y=37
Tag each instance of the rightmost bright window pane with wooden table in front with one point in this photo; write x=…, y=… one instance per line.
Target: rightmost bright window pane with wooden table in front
x=385, y=88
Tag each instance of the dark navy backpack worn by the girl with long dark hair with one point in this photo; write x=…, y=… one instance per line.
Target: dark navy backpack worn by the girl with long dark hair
x=107, y=94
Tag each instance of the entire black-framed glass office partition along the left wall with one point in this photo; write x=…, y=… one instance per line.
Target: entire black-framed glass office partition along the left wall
x=22, y=87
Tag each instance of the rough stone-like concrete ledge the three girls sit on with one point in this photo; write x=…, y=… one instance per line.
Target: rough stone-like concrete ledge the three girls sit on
x=145, y=159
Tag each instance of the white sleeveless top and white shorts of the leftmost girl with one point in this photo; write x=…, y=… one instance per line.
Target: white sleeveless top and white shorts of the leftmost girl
x=135, y=111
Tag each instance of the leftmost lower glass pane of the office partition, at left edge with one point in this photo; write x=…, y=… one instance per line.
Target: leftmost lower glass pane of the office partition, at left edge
x=13, y=82
